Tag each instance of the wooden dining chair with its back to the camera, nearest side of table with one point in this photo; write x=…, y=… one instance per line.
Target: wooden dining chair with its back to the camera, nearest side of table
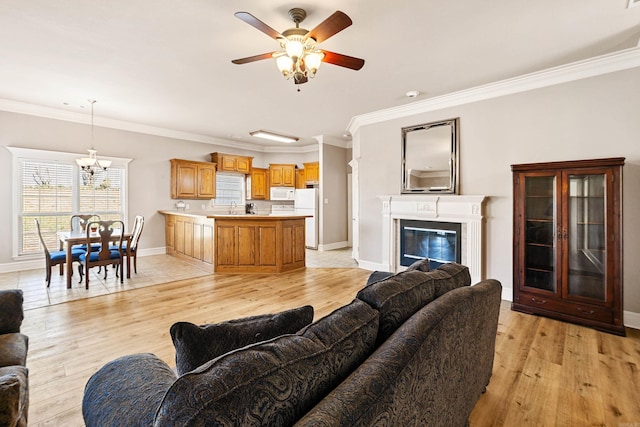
x=107, y=254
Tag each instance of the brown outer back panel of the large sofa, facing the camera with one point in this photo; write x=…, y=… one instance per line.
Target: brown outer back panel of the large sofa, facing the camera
x=430, y=371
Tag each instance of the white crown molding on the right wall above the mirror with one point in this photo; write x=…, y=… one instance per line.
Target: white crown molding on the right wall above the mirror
x=605, y=64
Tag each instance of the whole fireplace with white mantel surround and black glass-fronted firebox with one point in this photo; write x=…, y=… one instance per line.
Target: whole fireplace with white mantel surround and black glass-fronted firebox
x=444, y=214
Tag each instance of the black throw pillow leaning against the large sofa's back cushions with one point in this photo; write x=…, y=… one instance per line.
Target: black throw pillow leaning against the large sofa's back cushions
x=196, y=345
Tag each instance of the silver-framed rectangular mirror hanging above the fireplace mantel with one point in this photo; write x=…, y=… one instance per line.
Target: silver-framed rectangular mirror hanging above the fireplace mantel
x=430, y=158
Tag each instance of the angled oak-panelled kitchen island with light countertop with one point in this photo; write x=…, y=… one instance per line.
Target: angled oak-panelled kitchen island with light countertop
x=237, y=243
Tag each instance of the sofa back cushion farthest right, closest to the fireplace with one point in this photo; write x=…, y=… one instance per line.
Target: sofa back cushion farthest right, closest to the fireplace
x=399, y=296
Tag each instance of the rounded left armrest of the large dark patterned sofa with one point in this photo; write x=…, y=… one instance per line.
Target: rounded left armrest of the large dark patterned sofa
x=126, y=391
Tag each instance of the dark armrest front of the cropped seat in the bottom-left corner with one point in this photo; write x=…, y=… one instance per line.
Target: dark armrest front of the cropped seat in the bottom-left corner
x=14, y=398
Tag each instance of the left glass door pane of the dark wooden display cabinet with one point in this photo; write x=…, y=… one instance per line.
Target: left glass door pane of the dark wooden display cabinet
x=540, y=230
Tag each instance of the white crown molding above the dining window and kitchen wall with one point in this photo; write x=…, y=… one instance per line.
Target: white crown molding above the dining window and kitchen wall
x=75, y=117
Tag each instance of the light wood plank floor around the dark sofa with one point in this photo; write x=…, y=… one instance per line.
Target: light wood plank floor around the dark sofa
x=546, y=372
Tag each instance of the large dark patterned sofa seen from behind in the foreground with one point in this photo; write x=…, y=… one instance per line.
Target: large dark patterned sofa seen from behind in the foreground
x=415, y=348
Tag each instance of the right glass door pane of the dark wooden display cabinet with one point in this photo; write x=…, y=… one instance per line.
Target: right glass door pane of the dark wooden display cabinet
x=586, y=236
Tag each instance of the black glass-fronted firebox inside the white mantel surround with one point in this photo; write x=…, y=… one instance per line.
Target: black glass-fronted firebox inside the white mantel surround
x=440, y=242
